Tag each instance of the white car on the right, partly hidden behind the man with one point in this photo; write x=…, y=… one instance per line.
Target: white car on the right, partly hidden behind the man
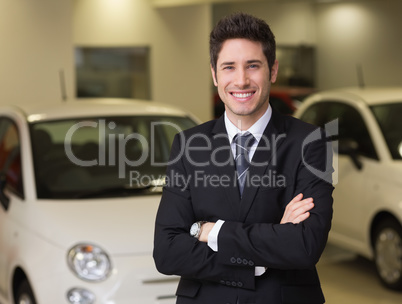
x=368, y=194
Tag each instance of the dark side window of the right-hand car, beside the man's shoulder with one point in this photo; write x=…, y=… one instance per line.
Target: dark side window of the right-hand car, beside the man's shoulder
x=351, y=124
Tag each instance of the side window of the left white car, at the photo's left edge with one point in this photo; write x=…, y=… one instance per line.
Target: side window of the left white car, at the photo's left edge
x=10, y=156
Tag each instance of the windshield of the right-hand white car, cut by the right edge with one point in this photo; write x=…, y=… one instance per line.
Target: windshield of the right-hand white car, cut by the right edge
x=389, y=119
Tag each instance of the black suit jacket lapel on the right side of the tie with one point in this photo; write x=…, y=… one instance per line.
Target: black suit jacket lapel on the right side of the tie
x=273, y=137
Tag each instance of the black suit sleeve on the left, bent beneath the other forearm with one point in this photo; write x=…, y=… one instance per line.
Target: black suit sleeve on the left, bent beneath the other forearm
x=175, y=251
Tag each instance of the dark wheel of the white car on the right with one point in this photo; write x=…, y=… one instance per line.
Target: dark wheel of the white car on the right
x=388, y=253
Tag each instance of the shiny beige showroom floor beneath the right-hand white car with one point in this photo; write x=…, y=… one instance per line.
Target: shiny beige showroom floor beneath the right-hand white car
x=349, y=279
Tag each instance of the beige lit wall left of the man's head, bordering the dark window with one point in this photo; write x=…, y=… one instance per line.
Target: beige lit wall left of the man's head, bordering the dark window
x=177, y=37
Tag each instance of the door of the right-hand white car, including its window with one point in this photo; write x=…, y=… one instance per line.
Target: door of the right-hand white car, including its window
x=351, y=191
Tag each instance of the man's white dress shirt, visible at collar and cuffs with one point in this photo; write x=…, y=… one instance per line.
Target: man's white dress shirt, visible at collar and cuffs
x=257, y=129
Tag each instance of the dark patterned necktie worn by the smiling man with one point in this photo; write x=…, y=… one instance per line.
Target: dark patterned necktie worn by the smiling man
x=243, y=144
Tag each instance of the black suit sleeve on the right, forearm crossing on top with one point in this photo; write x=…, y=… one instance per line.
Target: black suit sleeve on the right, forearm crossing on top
x=288, y=246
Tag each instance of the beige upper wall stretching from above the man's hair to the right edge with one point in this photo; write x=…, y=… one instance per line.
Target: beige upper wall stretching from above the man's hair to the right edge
x=345, y=34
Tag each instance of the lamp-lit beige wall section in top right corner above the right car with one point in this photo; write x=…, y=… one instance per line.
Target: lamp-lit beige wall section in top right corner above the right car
x=365, y=33
